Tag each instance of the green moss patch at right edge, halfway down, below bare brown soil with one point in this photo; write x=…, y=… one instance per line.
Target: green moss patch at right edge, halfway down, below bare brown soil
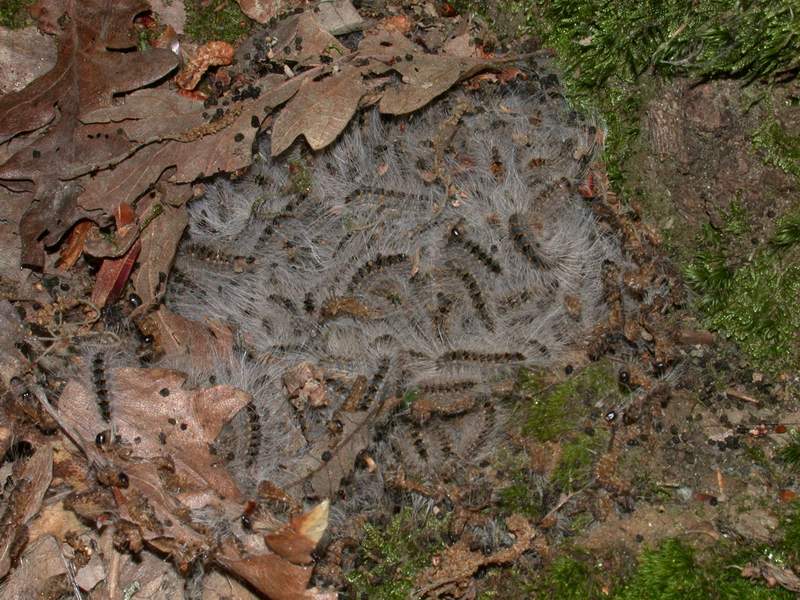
x=753, y=302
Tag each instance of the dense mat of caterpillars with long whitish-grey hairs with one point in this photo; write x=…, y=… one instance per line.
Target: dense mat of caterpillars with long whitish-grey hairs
x=400, y=289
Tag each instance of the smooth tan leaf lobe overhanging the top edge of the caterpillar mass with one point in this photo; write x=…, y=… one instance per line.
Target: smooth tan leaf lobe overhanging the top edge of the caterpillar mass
x=320, y=110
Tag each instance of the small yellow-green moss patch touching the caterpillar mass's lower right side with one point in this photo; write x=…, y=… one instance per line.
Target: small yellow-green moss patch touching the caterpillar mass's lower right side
x=550, y=413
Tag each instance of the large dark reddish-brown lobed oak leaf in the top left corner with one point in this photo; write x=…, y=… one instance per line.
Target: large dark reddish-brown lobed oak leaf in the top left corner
x=91, y=67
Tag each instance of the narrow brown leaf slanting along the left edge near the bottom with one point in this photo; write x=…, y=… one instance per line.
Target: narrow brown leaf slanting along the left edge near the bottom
x=31, y=479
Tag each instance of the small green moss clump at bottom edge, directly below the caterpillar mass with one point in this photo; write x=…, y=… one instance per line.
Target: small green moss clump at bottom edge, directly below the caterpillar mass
x=390, y=558
